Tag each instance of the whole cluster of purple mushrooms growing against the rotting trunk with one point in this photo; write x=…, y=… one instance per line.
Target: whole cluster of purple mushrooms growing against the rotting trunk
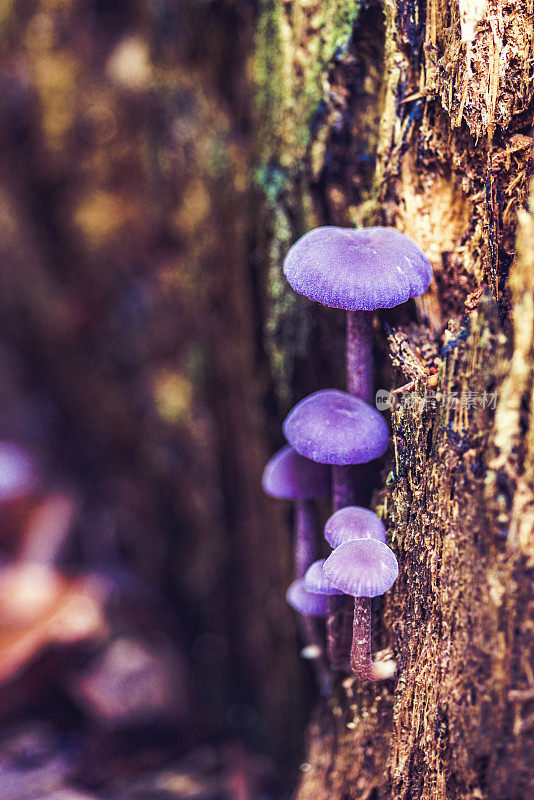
x=328, y=432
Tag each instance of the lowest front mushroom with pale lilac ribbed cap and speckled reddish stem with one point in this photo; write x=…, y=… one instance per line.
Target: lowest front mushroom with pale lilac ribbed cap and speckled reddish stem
x=363, y=568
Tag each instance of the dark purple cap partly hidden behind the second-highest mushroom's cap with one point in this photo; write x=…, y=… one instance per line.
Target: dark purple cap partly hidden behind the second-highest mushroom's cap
x=290, y=476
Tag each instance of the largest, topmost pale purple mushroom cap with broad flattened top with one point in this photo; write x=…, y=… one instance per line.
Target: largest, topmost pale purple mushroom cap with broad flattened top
x=361, y=269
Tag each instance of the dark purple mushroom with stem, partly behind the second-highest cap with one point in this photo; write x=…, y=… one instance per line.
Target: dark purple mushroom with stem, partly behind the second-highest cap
x=290, y=476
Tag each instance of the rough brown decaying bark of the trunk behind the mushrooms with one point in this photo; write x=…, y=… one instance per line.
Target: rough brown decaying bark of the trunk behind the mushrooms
x=418, y=115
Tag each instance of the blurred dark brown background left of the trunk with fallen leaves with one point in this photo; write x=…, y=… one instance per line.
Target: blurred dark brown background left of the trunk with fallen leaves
x=146, y=649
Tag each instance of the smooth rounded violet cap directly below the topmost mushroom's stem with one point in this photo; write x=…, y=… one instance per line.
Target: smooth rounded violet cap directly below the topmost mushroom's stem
x=333, y=427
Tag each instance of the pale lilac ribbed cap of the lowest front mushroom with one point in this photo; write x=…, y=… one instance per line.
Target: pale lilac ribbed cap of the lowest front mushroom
x=362, y=568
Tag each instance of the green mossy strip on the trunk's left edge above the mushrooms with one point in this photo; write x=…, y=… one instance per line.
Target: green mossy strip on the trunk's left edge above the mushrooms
x=295, y=48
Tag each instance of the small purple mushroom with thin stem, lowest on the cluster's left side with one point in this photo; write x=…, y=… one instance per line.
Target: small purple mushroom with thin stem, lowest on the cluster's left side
x=310, y=606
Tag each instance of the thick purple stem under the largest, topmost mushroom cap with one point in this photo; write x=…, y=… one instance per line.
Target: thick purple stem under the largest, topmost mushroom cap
x=360, y=366
